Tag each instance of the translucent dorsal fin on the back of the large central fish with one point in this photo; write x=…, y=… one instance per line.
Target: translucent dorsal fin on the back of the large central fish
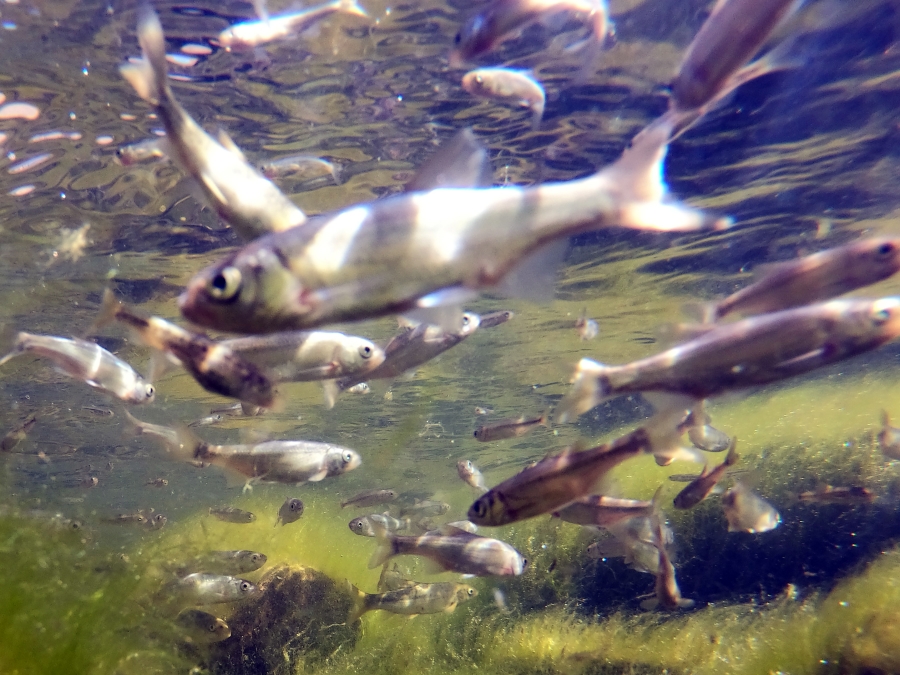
x=461, y=162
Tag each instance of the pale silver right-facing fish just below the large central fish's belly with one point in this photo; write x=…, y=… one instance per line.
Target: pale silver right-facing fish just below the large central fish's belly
x=299, y=356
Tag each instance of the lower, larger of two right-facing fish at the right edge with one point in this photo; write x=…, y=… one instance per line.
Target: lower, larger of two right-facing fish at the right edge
x=754, y=351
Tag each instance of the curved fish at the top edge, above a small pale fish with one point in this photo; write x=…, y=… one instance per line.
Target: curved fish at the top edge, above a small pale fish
x=502, y=19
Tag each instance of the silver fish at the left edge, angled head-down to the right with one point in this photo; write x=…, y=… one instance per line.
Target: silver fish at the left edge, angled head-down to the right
x=88, y=362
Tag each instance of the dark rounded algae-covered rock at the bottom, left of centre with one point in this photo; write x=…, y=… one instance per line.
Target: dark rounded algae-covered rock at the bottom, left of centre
x=301, y=617
